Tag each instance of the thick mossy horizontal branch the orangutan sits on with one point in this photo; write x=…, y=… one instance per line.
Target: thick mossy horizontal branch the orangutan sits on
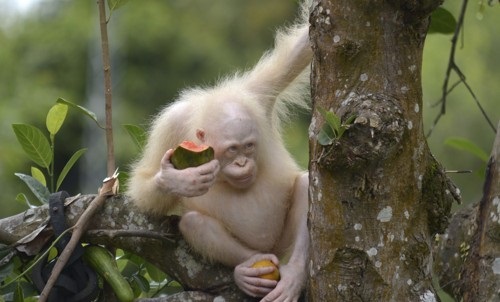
x=121, y=225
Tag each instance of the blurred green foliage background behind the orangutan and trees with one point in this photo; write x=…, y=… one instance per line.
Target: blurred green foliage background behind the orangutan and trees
x=51, y=49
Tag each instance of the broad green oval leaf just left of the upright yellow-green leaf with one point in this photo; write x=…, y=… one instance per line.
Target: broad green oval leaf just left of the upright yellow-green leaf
x=34, y=144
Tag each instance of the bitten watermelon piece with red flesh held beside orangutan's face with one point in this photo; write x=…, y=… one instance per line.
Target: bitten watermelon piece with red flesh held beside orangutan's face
x=188, y=154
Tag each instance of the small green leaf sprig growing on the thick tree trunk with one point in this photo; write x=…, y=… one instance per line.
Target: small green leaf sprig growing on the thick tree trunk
x=334, y=128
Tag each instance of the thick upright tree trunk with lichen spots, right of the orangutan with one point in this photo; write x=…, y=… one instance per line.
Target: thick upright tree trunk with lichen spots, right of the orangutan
x=377, y=194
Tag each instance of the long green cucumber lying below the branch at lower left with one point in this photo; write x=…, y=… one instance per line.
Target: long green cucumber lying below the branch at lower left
x=104, y=264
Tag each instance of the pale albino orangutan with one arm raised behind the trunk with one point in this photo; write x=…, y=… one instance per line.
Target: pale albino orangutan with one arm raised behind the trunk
x=249, y=203
